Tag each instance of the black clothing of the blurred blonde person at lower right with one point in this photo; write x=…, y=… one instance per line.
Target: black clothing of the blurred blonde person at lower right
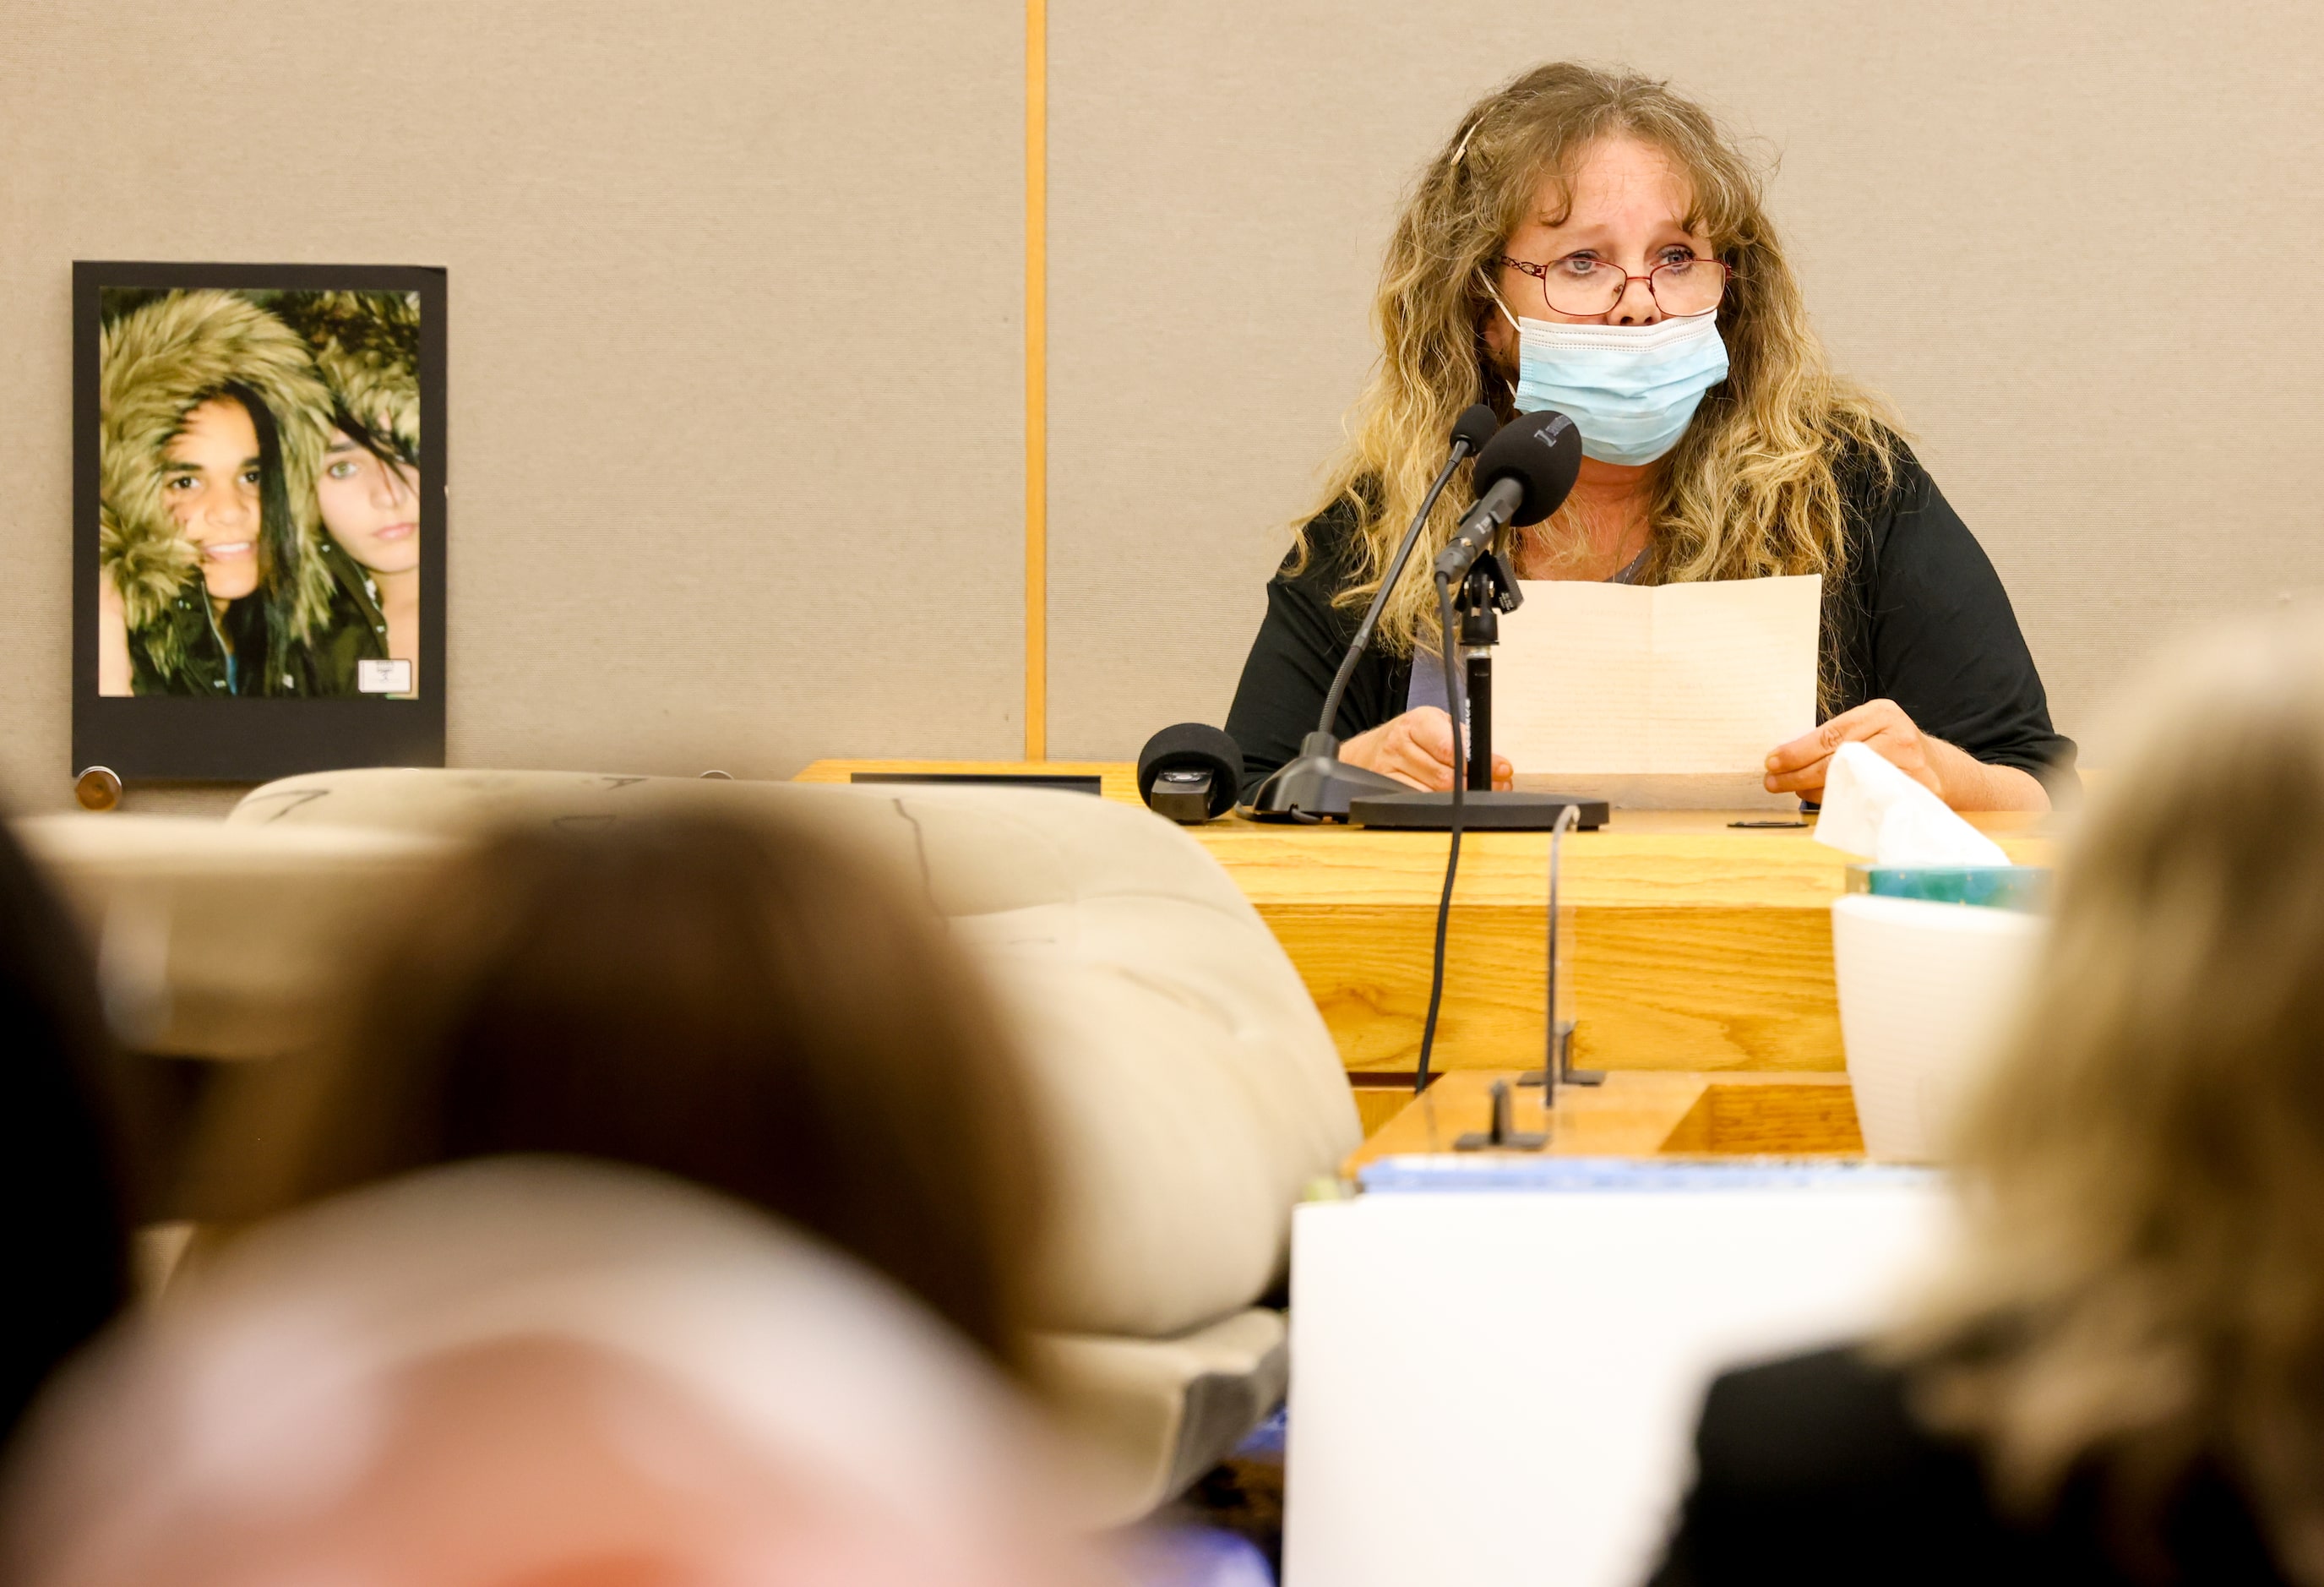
x=1814, y=1472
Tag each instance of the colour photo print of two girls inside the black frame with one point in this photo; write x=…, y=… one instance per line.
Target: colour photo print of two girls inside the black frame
x=259, y=494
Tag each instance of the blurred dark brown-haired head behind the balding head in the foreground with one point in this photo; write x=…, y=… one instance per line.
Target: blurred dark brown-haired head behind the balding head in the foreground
x=740, y=1005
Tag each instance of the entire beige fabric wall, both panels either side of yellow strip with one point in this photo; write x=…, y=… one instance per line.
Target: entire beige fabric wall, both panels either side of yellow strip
x=703, y=257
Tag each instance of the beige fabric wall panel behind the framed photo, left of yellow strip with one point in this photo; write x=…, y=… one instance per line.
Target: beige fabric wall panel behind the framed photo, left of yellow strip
x=705, y=259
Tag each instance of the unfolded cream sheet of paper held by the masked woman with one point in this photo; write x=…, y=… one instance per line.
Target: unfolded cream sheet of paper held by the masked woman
x=1679, y=680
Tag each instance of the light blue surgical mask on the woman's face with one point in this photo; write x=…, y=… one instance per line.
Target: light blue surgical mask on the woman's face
x=1628, y=389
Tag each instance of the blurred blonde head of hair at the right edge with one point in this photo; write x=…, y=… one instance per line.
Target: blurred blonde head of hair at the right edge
x=2142, y=1293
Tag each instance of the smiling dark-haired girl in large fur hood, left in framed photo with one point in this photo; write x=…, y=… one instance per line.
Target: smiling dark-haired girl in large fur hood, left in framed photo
x=213, y=429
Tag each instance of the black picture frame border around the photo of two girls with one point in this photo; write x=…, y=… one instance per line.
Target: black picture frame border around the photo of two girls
x=252, y=740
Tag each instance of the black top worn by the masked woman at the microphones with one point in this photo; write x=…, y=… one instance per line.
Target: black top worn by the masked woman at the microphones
x=1921, y=619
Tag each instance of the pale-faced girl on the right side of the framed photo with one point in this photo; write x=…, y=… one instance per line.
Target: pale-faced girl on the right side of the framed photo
x=366, y=345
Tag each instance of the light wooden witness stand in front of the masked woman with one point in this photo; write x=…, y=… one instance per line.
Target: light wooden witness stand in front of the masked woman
x=1698, y=949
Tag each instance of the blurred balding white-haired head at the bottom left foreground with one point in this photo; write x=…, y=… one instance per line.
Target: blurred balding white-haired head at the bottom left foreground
x=533, y=1374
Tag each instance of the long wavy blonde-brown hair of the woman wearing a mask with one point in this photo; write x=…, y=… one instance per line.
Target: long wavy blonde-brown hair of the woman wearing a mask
x=1749, y=491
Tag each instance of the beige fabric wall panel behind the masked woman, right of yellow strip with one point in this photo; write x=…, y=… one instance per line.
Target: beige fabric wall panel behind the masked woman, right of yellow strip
x=2072, y=243
